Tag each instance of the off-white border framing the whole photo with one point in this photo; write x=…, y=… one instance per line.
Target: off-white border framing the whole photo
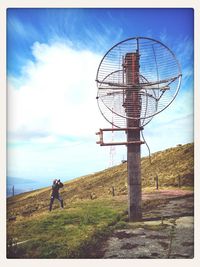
x=4, y=4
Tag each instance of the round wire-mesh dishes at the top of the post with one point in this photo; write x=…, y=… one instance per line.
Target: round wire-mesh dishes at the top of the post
x=136, y=79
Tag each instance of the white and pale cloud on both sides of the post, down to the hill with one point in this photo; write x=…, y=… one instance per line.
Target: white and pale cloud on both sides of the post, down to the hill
x=53, y=116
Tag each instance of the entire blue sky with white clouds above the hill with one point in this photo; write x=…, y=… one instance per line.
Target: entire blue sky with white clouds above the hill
x=52, y=60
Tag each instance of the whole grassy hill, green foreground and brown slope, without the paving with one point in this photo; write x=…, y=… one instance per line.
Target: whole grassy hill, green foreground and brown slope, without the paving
x=93, y=204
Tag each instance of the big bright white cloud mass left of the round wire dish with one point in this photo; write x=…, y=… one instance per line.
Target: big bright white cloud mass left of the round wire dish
x=55, y=94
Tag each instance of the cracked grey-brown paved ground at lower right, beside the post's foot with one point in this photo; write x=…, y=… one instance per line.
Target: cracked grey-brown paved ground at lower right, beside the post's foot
x=167, y=231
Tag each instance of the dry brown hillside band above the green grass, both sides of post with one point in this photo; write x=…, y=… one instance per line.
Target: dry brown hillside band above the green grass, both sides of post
x=168, y=165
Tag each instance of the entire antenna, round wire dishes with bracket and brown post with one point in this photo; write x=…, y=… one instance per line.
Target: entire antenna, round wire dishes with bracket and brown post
x=136, y=79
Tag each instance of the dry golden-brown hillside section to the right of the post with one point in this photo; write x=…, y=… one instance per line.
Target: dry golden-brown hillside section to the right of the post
x=169, y=165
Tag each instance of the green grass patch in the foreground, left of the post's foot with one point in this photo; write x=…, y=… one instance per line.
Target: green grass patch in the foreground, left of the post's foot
x=68, y=233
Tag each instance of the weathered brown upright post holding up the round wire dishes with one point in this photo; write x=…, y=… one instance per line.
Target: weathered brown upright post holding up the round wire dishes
x=132, y=105
